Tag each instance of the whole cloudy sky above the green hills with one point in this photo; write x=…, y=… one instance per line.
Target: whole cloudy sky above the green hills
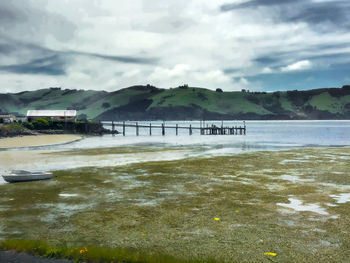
x=259, y=45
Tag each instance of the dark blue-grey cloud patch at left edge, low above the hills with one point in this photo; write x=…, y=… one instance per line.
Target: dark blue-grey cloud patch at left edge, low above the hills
x=53, y=65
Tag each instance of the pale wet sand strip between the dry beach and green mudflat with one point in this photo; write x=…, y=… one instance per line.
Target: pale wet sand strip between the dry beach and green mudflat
x=49, y=160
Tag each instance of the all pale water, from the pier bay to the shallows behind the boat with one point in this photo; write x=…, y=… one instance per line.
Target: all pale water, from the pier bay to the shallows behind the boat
x=261, y=136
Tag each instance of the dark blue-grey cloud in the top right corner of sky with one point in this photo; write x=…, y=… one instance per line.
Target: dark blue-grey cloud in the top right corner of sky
x=322, y=16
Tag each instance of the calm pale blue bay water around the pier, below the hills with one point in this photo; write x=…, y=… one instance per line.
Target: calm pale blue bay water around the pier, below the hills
x=261, y=135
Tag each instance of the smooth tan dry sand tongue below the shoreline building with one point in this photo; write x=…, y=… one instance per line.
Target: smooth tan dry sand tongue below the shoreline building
x=37, y=140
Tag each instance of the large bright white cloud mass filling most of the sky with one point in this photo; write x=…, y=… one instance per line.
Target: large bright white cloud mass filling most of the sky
x=192, y=40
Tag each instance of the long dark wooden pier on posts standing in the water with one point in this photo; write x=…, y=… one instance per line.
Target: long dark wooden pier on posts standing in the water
x=204, y=129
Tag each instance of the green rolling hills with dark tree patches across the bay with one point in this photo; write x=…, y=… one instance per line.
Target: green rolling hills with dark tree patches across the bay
x=185, y=103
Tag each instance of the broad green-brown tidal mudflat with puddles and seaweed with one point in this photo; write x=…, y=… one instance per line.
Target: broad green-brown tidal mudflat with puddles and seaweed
x=234, y=208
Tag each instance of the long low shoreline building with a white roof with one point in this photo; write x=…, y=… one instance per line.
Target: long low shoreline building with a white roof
x=54, y=115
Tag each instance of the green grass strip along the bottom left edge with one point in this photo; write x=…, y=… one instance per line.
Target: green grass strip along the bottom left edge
x=90, y=253
